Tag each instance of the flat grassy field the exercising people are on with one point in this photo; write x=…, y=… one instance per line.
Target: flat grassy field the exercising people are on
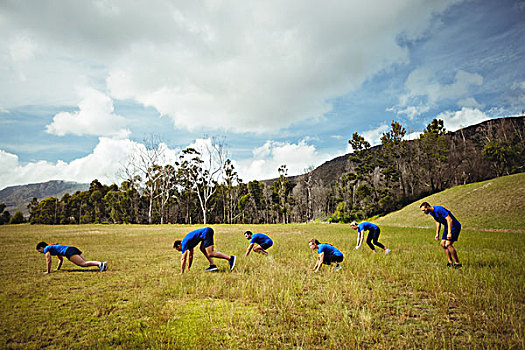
x=408, y=299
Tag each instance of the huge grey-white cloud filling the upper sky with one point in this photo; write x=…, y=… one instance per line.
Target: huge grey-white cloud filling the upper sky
x=241, y=66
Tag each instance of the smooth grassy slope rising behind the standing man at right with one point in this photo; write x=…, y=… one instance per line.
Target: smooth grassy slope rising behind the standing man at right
x=493, y=204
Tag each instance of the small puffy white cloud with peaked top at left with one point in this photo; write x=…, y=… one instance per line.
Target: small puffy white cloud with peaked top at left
x=94, y=117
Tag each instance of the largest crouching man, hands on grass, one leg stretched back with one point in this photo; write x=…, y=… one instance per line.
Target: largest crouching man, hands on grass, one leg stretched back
x=204, y=236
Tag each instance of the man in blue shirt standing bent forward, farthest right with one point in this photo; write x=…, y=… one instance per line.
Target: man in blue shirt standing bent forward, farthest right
x=451, y=230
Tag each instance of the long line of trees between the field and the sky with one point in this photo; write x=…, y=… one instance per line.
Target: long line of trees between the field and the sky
x=202, y=185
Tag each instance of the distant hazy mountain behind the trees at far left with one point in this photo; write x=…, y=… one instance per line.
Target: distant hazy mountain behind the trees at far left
x=16, y=198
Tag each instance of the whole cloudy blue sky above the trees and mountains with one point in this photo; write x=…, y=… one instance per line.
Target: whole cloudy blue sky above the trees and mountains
x=83, y=83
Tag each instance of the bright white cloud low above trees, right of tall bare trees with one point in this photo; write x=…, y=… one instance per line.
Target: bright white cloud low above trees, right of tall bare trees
x=270, y=156
